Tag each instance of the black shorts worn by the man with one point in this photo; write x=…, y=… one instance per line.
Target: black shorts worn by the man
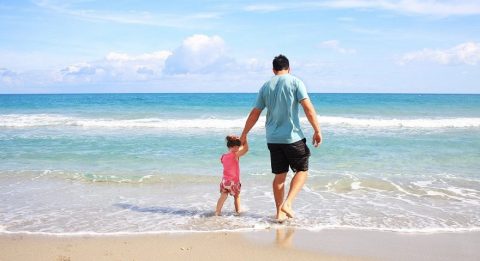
x=294, y=155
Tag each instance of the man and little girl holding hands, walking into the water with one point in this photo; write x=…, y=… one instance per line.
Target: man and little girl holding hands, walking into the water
x=282, y=96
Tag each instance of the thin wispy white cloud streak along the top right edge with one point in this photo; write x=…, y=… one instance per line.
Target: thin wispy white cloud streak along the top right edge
x=424, y=7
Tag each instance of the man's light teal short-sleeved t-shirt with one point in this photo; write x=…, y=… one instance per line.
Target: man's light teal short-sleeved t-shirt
x=281, y=96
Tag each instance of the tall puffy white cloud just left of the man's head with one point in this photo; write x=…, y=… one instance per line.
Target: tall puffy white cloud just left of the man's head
x=199, y=54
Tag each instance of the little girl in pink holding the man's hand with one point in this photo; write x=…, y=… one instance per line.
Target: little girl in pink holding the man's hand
x=231, y=172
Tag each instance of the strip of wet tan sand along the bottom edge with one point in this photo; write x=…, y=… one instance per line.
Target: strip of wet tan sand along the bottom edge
x=278, y=244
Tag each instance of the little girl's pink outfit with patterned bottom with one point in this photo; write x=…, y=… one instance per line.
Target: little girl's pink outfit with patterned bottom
x=231, y=174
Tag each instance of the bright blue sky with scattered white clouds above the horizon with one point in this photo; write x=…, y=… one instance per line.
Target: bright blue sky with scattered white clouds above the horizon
x=80, y=46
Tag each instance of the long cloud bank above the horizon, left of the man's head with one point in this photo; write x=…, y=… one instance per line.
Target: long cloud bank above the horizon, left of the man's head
x=200, y=61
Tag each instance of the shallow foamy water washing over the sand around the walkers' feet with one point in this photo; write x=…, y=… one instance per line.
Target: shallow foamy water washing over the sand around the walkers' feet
x=68, y=207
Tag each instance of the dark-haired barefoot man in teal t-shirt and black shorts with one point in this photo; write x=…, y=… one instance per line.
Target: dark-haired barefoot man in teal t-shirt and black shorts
x=281, y=95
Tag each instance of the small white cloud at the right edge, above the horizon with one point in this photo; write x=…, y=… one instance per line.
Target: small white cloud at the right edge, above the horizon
x=466, y=53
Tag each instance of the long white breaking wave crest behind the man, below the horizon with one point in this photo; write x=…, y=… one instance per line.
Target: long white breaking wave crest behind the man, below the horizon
x=47, y=120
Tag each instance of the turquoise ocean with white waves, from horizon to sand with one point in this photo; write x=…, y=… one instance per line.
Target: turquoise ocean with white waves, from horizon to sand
x=150, y=163
